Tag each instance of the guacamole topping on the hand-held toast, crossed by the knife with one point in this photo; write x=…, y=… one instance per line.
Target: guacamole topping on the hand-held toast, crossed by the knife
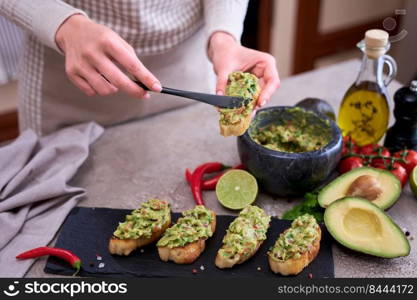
x=243, y=85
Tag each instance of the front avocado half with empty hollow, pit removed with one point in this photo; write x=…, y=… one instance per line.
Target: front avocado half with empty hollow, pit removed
x=362, y=226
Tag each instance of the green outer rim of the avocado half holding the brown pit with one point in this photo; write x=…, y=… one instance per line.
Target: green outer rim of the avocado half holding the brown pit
x=333, y=184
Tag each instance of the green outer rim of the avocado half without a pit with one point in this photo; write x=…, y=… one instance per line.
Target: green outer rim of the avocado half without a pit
x=386, y=218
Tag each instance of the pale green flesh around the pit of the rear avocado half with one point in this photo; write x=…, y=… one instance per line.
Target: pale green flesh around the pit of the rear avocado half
x=338, y=188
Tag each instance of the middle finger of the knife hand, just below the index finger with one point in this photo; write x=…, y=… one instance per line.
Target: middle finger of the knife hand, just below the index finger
x=117, y=78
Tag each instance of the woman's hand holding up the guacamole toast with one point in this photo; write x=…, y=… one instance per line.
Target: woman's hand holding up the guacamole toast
x=228, y=56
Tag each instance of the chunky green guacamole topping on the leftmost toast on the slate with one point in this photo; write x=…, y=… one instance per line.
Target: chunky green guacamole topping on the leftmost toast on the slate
x=142, y=222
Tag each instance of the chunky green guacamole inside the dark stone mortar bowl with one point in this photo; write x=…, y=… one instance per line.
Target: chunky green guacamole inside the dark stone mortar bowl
x=302, y=133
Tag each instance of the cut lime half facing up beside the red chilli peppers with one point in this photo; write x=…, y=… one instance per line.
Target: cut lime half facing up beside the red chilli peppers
x=236, y=189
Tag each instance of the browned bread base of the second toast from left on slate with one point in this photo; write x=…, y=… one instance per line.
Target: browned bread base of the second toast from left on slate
x=188, y=253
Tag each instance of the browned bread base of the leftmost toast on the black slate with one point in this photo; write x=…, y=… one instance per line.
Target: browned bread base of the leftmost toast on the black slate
x=126, y=246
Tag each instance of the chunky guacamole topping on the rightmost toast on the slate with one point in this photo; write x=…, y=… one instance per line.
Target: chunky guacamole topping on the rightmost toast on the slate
x=296, y=240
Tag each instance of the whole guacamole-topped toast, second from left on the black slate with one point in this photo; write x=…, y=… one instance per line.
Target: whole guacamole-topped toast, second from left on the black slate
x=186, y=240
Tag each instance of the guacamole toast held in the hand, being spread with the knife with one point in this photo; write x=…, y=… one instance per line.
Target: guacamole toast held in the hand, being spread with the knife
x=235, y=121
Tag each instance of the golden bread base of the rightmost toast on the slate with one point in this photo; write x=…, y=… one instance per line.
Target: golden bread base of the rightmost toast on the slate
x=293, y=266
